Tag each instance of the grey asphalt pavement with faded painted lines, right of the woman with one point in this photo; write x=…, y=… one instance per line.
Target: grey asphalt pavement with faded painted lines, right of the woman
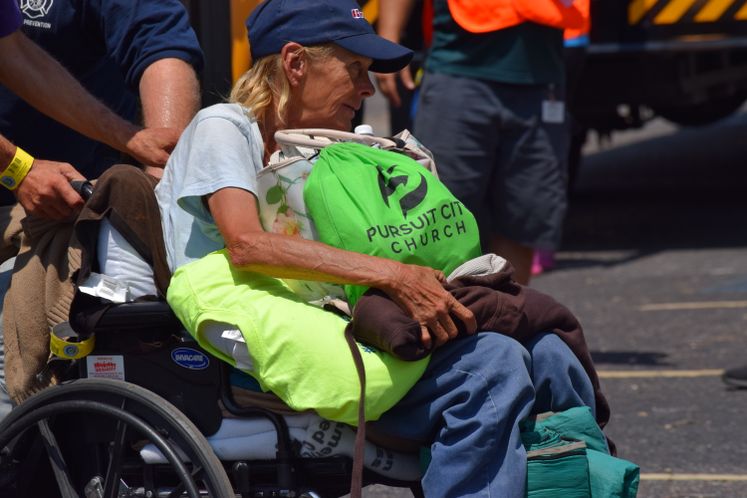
x=654, y=264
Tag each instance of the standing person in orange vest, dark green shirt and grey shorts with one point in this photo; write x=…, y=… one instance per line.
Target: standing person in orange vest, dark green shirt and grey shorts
x=491, y=110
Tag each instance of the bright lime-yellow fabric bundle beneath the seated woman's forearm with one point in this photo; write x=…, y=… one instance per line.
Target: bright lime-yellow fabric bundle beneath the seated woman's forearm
x=298, y=351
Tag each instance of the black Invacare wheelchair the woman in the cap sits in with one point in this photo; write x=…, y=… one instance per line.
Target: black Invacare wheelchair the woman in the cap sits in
x=142, y=415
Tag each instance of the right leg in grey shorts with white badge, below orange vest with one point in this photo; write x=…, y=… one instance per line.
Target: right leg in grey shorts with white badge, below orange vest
x=529, y=198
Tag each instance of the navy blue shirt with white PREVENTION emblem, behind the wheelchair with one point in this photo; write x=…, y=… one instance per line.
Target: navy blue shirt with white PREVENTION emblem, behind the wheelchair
x=106, y=45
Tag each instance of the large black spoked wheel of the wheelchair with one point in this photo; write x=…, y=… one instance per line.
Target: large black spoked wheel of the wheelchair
x=82, y=439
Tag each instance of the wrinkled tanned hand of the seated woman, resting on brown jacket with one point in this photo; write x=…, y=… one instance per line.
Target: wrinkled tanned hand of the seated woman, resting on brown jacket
x=419, y=291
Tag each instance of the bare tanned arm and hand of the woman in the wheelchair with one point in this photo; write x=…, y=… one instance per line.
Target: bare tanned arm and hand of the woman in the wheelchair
x=417, y=289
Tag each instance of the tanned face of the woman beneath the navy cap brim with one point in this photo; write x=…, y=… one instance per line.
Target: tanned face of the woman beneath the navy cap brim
x=332, y=90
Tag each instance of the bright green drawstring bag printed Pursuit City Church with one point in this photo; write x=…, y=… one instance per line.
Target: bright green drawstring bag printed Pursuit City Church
x=386, y=204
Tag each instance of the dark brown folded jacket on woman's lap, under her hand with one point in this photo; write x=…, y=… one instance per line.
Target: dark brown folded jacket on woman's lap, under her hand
x=498, y=303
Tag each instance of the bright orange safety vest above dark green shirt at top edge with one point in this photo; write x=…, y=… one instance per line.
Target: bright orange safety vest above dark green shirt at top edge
x=482, y=16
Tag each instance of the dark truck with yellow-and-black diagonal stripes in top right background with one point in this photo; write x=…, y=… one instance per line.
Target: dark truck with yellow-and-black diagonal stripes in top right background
x=684, y=60
